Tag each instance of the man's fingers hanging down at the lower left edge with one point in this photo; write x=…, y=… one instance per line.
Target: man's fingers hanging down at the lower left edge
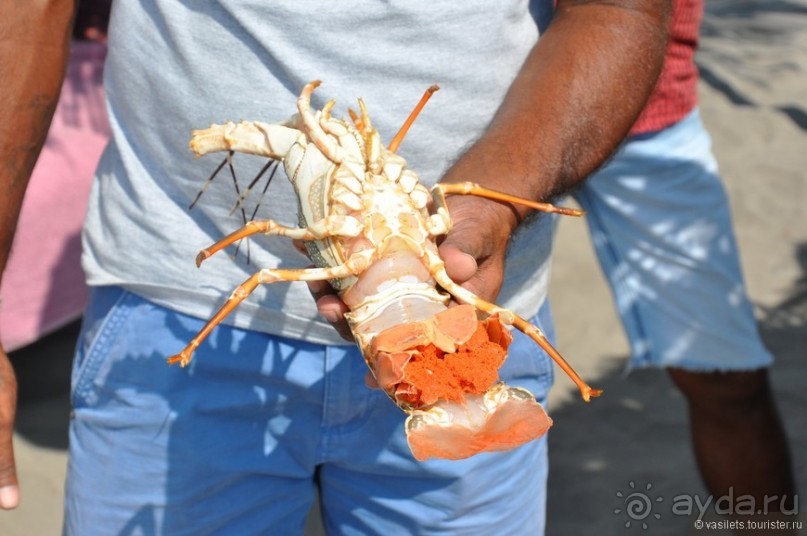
x=9, y=488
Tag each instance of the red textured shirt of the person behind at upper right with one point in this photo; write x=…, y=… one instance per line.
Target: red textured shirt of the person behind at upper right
x=676, y=90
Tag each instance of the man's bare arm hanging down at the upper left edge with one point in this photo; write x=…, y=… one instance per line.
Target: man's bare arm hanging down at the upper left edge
x=34, y=43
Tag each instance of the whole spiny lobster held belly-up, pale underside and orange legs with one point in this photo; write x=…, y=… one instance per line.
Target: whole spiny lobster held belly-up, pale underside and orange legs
x=366, y=223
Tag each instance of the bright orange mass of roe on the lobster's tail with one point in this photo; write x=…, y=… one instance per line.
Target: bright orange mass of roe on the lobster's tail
x=434, y=374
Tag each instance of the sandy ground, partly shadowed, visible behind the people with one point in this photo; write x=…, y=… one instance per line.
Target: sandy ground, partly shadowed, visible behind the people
x=754, y=63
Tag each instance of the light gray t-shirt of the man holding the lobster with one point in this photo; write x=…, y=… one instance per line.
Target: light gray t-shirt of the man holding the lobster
x=176, y=66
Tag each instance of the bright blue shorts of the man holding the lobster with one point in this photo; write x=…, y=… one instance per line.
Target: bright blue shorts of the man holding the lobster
x=238, y=442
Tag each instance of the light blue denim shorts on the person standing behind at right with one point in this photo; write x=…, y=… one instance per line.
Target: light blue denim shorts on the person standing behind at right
x=661, y=226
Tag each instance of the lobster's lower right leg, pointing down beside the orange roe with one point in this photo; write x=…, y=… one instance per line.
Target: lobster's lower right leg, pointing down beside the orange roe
x=437, y=269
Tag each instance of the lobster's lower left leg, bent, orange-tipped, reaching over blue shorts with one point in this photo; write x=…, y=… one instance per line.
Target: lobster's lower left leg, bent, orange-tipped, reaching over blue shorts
x=357, y=263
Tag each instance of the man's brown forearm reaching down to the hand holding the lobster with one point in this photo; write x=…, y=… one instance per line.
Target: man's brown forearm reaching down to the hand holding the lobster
x=576, y=97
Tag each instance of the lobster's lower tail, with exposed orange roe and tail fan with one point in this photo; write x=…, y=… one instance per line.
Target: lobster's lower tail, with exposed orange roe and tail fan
x=443, y=371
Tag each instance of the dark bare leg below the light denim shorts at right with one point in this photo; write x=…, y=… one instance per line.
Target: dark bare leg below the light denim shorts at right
x=737, y=436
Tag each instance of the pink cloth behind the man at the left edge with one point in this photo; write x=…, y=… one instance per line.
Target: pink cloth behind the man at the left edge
x=43, y=286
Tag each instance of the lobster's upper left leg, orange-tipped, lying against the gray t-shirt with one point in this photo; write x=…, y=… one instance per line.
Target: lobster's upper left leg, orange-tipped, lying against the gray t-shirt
x=335, y=225
